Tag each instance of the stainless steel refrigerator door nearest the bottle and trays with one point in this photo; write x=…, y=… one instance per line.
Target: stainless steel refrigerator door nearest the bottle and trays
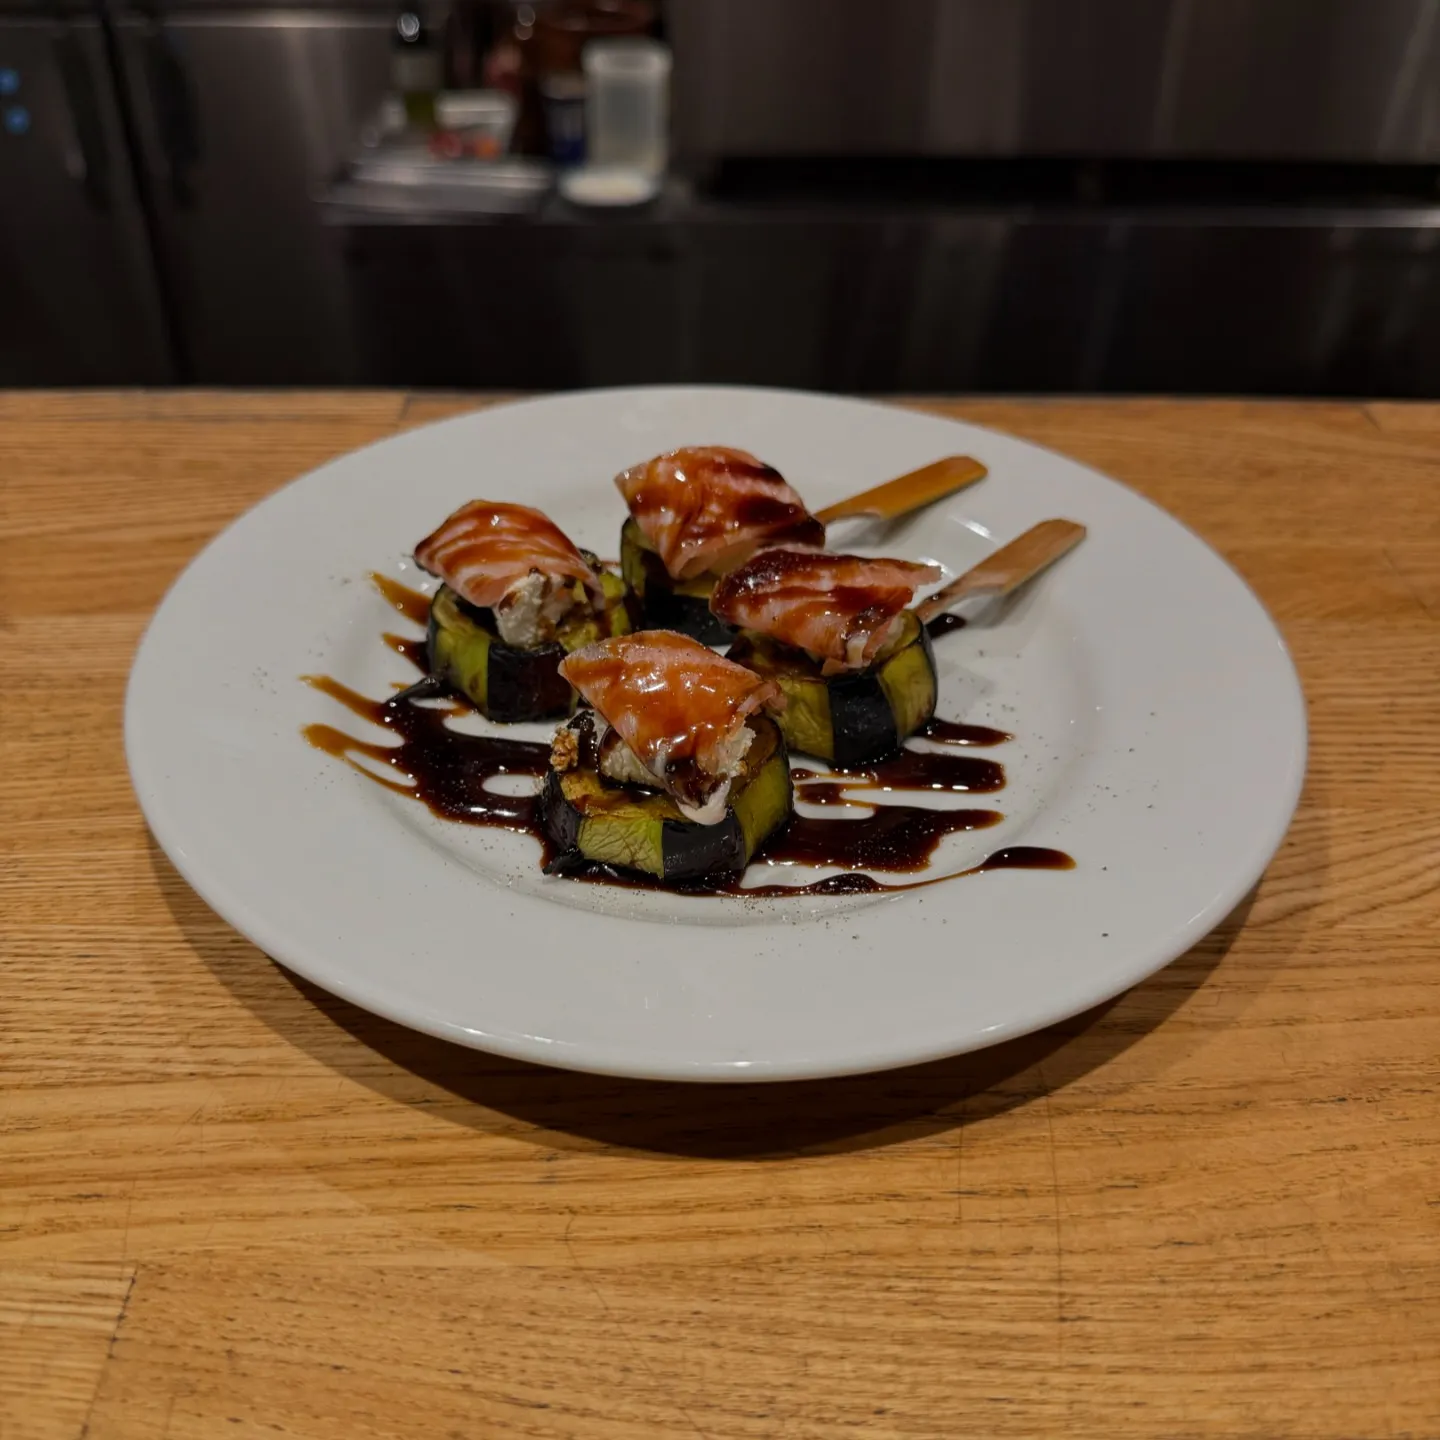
x=238, y=116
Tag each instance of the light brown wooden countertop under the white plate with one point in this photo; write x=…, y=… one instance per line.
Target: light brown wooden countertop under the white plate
x=235, y=1207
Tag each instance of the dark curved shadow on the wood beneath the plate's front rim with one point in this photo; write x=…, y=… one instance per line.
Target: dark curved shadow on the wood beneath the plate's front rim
x=692, y=1121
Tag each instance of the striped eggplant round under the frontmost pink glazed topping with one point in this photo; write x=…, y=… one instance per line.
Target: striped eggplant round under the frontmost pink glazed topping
x=593, y=822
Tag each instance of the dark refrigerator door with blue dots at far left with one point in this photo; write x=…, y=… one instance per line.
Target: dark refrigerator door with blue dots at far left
x=81, y=297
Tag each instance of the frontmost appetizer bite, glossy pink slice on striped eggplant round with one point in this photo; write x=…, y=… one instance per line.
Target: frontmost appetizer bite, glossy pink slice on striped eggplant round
x=678, y=771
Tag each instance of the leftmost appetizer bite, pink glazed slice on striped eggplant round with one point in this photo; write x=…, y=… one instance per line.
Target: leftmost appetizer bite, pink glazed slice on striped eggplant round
x=516, y=598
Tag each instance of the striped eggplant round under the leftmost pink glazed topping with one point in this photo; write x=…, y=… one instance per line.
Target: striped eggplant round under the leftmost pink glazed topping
x=505, y=682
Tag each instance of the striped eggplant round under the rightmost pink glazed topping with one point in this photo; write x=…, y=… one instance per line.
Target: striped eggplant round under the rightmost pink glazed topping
x=852, y=719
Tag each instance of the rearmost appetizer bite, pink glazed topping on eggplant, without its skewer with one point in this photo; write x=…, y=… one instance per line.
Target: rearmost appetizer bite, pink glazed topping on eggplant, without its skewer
x=698, y=513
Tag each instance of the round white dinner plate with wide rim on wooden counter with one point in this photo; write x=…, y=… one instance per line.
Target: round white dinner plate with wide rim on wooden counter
x=1158, y=739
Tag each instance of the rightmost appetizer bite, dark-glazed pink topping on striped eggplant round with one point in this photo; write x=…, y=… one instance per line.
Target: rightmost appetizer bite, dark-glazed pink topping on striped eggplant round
x=836, y=634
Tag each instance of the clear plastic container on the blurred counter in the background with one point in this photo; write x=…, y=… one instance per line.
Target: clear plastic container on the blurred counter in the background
x=627, y=104
